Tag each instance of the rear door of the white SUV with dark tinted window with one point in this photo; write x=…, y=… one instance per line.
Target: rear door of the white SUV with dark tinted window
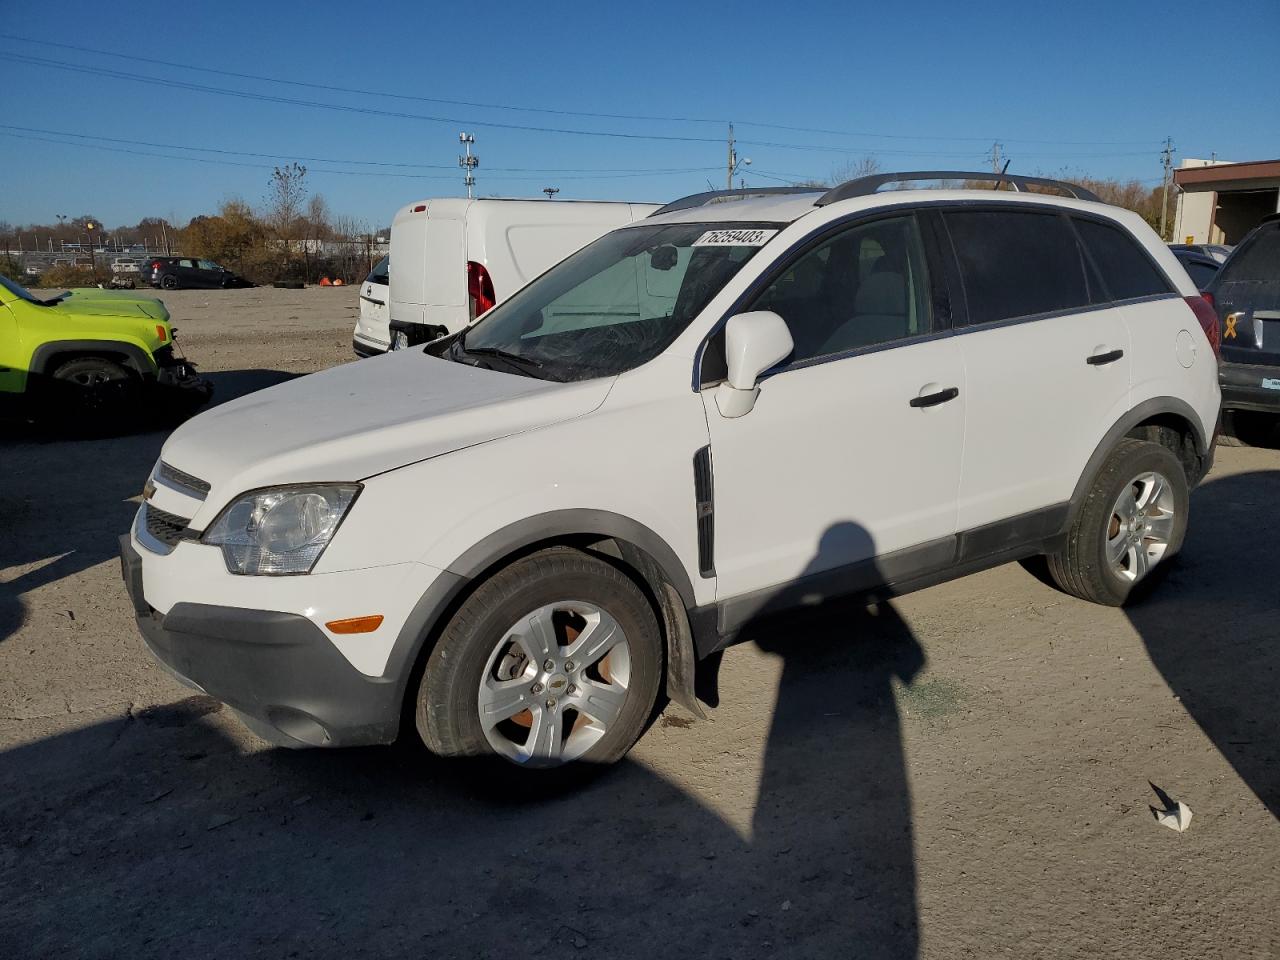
x=1046, y=356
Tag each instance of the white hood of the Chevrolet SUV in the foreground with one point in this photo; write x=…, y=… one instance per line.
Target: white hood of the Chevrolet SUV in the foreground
x=365, y=418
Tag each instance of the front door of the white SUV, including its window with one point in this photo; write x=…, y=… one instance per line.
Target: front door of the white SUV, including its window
x=845, y=473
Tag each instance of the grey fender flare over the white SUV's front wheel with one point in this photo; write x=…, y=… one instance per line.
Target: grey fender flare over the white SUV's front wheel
x=444, y=596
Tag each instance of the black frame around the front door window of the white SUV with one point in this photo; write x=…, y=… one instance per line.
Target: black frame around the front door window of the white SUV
x=940, y=303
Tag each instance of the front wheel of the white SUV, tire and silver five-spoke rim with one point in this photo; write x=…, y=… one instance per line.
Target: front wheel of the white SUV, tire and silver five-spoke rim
x=493, y=639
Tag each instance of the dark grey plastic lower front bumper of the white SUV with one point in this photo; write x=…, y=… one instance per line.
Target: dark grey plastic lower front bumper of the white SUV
x=278, y=670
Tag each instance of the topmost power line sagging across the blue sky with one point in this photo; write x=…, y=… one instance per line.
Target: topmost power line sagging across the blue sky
x=359, y=92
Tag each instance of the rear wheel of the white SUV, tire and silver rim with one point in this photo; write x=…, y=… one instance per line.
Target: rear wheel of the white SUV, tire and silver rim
x=1101, y=561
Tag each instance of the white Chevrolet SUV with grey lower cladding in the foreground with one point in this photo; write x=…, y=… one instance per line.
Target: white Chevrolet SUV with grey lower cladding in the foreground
x=524, y=536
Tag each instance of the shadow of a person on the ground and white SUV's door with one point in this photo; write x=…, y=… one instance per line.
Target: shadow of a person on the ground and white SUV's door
x=831, y=833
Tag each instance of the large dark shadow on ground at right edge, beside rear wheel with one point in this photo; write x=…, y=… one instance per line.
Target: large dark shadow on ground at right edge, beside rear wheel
x=1210, y=629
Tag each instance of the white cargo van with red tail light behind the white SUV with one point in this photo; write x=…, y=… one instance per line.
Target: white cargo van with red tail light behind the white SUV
x=458, y=258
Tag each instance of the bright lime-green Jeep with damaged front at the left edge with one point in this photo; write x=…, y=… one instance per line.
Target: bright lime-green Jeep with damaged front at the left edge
x=92, y=355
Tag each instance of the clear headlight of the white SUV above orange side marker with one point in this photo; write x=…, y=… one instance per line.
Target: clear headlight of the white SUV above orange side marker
x=281, y=529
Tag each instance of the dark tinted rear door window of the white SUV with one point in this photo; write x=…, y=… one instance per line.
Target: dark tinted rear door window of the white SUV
x=1017, y=263
